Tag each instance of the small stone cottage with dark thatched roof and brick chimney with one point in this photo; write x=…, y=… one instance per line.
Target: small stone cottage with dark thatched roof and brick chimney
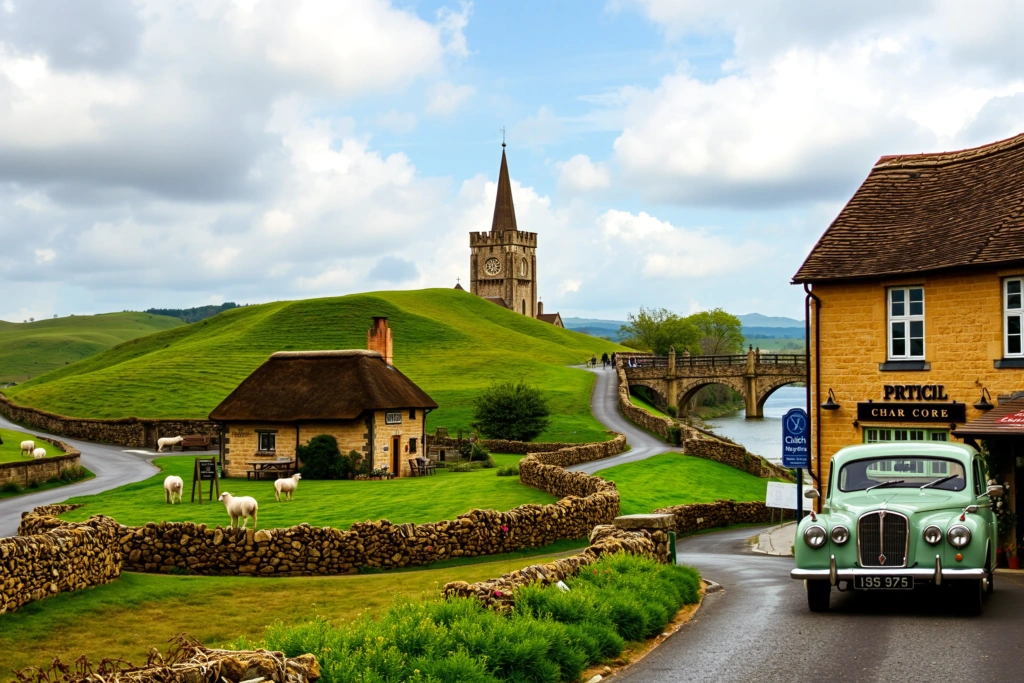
x=356, y=396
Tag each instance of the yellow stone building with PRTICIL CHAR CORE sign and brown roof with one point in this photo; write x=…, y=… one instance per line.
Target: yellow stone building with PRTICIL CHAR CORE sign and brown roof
x=916, y=310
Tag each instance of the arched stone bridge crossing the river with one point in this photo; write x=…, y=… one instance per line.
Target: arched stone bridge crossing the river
x=674, y=379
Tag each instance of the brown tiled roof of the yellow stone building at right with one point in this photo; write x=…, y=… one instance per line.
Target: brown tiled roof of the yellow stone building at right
x=918, y=214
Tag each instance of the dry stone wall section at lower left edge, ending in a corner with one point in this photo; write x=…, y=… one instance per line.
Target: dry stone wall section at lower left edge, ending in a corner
x=60, y=558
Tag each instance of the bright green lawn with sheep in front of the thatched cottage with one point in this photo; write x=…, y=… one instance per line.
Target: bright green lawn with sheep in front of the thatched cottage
x=336, y=504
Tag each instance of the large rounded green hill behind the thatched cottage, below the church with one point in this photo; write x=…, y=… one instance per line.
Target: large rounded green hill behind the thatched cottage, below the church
x=450, y=343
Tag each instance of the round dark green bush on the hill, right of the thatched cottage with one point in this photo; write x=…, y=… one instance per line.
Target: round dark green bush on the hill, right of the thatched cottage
x=514, y=411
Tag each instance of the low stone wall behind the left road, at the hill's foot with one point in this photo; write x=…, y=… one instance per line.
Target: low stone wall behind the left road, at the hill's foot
x=126, y=432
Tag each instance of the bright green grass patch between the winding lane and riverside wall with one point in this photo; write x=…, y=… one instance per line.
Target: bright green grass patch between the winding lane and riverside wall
x=674, y=479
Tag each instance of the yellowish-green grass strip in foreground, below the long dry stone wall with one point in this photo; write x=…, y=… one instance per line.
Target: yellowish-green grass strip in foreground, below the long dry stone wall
x=123, y=619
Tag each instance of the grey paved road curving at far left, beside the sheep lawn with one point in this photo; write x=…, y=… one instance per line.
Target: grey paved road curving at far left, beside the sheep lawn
x=112, y=465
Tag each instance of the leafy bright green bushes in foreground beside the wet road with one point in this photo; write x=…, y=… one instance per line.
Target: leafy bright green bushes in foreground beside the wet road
x=547, y=637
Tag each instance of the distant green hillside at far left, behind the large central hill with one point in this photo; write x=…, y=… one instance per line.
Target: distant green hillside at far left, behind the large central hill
x=29, y=350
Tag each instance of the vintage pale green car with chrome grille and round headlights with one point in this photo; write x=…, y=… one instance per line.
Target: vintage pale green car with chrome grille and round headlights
x=901, y=517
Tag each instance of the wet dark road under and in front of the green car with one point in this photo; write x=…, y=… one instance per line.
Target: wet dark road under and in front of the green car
x=759, y=629
